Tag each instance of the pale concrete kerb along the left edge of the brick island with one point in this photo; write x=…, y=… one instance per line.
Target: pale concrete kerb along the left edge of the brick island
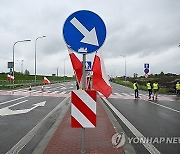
x=44, y=142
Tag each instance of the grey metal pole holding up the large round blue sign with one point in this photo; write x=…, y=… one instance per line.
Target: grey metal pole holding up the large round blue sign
x=83, y=87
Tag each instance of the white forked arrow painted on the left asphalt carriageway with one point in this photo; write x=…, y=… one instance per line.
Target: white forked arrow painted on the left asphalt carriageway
x=6, y=111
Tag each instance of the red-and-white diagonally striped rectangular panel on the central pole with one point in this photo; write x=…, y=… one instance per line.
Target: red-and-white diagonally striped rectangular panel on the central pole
x=83, y=109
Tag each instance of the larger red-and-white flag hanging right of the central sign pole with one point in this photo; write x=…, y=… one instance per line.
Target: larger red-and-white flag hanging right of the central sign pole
x=99, y=79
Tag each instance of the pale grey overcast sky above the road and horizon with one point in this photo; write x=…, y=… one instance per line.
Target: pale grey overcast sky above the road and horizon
x=145, y=31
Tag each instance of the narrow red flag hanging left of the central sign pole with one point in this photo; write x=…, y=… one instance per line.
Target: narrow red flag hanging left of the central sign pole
x=77, y=65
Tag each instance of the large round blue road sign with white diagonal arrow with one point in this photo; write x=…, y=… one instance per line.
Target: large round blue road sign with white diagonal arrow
x=84, y=31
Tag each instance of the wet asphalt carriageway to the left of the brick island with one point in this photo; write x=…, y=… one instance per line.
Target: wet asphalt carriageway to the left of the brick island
x=21, y=110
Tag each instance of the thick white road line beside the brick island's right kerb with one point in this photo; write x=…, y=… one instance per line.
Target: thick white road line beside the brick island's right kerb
x=151, y=148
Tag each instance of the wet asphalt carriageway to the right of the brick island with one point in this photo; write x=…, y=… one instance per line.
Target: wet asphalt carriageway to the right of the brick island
x=156, y=119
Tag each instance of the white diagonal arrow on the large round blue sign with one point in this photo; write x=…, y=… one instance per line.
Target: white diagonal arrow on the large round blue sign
x=89, y=37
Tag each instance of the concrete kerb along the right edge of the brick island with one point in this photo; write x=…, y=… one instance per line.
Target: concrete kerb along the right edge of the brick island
x=128, y=148
